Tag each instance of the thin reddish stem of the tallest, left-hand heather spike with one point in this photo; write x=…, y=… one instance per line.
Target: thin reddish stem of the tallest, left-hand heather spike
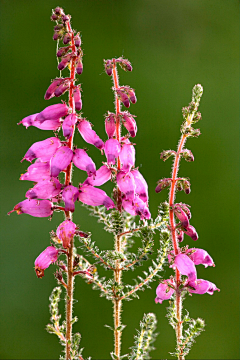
x=68, y=214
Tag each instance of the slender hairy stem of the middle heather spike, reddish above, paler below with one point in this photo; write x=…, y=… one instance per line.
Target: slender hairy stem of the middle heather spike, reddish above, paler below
x=117, y=271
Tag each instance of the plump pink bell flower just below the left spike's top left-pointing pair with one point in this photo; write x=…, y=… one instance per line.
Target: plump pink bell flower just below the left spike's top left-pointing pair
x=43, y=150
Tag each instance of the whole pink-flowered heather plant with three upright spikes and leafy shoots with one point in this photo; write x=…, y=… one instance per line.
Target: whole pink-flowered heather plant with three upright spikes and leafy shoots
x=125, y=214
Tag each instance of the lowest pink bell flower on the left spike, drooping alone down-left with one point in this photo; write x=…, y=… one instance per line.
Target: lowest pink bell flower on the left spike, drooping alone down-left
x=45, y=259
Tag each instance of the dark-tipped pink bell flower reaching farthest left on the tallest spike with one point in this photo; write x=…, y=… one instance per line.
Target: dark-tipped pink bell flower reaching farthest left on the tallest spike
x=37, y=208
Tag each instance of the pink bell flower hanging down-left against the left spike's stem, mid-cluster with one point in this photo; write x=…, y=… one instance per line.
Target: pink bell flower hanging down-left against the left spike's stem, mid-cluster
x=60, y=160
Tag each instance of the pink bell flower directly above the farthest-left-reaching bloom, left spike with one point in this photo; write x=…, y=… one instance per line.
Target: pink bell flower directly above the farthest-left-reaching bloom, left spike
x=45, y=189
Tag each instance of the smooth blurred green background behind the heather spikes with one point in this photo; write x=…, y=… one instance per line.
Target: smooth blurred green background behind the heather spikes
x=172, y=45
